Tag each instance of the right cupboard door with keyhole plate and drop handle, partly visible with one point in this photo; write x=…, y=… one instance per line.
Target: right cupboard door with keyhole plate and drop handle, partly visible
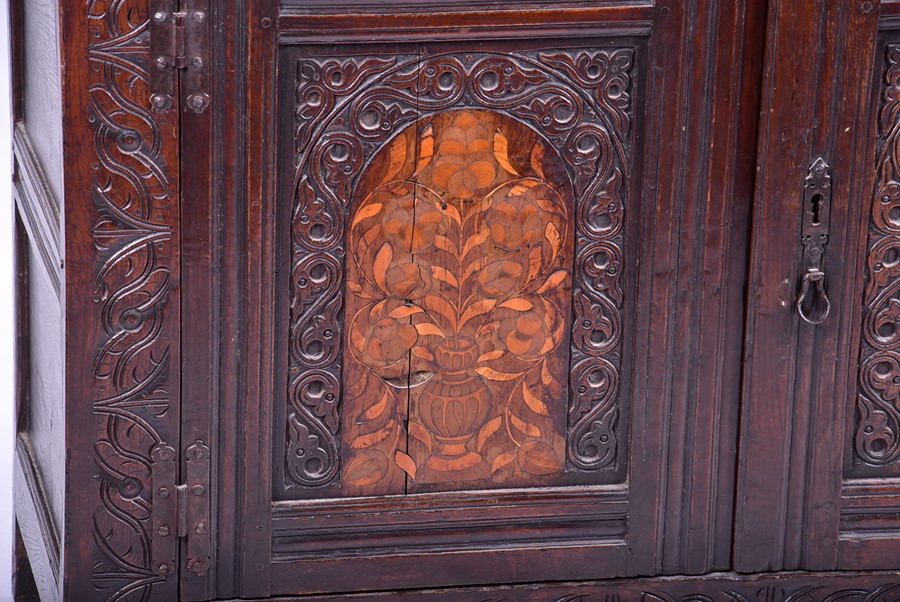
x=820, y=428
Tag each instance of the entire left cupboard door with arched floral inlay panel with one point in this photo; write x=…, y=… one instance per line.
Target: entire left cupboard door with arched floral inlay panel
x=478, y=291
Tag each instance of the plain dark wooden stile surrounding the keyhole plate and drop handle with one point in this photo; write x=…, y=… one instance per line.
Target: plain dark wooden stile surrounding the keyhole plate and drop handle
x=794, y=414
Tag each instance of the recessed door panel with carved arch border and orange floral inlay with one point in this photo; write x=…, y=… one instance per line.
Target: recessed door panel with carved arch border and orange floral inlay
x=457, y=268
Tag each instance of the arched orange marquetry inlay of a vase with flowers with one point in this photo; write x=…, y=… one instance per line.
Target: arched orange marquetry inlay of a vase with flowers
x=458, y=301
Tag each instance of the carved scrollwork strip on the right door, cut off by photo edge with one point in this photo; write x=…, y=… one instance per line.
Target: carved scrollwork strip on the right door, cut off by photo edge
x=877, y=434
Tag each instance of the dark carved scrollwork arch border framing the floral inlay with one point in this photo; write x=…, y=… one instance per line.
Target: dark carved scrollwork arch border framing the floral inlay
x=346, y=109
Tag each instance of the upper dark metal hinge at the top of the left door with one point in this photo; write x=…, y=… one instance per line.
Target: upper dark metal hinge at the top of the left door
x=179, y=44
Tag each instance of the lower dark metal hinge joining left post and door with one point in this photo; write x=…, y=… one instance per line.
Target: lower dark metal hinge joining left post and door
x=181, y=511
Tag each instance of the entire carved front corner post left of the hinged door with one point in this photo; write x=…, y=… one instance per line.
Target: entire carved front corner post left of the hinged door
x=122, y=292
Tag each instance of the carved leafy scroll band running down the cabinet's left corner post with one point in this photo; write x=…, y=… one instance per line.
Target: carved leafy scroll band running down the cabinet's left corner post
x=135, y=254
